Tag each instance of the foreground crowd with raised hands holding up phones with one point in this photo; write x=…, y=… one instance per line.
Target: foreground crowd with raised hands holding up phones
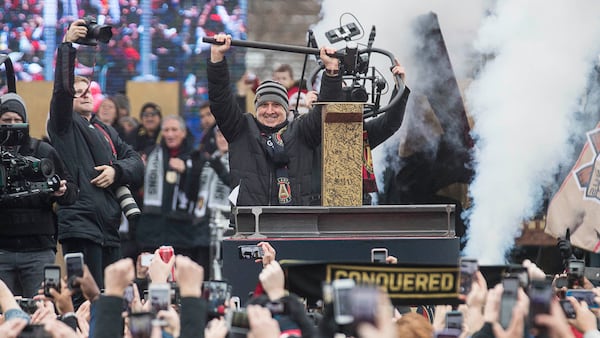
x=193, y=311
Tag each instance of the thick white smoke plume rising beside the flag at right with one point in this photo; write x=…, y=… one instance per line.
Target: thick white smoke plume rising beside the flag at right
x=523, y=103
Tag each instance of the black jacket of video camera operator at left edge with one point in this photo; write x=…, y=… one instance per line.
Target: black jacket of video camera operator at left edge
x=29, y=222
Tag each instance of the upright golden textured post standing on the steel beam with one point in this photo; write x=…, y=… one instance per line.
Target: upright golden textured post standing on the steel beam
x=341, y=180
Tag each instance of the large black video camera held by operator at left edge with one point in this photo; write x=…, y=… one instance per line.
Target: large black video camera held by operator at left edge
x=22, y=175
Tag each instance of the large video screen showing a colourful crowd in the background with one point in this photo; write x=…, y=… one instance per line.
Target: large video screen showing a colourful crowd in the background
x=176, y=30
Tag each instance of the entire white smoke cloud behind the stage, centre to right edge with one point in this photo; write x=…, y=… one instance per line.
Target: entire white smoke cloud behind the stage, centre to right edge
x=522, y=101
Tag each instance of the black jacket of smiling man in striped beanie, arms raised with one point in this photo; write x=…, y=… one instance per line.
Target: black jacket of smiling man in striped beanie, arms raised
x=251, y=168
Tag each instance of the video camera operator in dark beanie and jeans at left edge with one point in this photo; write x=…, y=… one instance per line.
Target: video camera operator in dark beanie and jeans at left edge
x=28, y=232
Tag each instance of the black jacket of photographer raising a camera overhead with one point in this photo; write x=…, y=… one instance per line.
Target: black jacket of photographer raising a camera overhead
x=96, y=215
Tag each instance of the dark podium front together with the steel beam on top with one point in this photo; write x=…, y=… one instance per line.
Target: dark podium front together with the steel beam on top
x=415, y=234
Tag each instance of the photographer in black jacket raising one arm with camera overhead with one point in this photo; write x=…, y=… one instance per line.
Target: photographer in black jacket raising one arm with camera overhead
x=96, y=155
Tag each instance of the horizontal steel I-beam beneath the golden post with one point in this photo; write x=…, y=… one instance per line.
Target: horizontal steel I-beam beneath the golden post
x=436, y=220
